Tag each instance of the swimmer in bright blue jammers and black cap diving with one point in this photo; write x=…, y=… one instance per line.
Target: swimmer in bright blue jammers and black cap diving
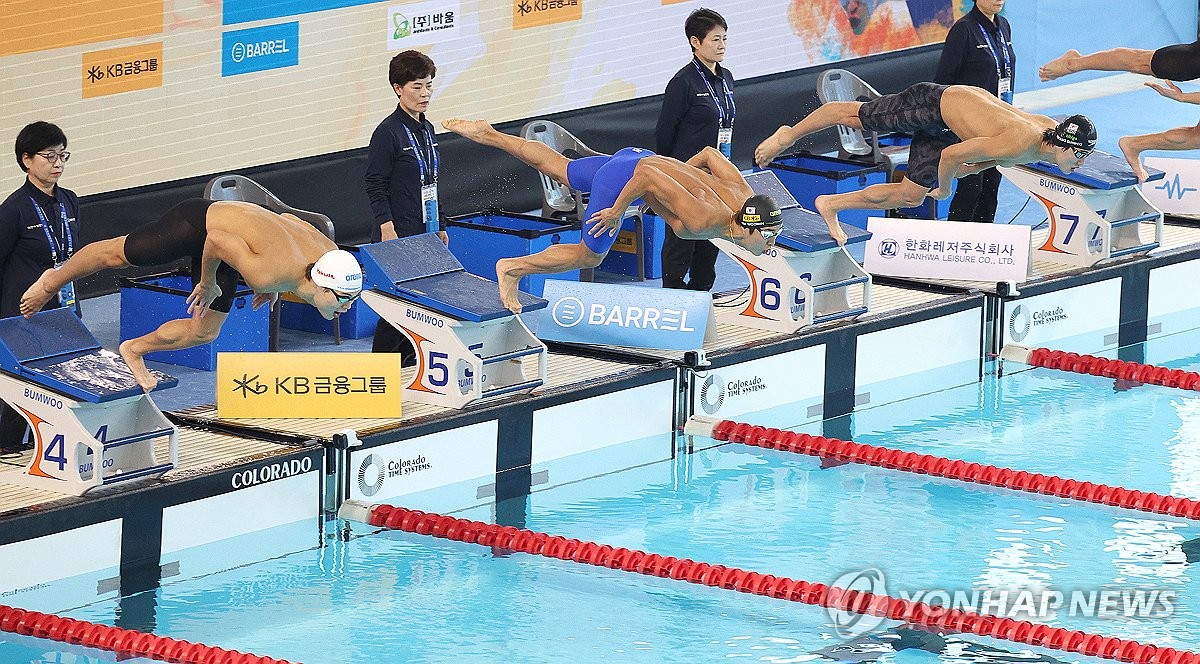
x=701, y=200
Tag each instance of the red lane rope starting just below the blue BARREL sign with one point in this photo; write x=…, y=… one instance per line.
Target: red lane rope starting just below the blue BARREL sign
x=955, y=469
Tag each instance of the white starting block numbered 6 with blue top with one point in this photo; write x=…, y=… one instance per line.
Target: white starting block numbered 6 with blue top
x=806, y=278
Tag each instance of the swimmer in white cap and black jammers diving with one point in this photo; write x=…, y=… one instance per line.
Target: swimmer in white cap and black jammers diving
x=226, y=241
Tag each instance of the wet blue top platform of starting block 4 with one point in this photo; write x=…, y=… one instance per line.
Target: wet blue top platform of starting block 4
x=56, y=350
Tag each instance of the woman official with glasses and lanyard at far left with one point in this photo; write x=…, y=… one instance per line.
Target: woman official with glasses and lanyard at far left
x=38, y=232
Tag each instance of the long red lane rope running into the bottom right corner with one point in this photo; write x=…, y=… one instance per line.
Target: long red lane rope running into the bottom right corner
x=779, y=588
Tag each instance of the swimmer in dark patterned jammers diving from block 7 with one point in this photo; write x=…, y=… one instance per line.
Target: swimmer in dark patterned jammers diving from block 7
x=957, y=130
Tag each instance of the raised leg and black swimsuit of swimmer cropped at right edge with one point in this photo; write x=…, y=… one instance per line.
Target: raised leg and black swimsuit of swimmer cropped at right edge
x=1179, y=62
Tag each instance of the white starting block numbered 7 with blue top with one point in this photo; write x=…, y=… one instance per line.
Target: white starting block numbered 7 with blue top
x=1096, y=213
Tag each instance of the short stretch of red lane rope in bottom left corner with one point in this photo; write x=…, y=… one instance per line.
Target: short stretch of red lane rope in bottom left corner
x=125, y=643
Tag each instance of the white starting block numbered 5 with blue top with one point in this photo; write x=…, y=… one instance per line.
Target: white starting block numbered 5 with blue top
x=469, y=346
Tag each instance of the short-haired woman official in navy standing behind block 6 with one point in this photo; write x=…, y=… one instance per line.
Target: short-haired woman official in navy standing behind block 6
x=698, y=112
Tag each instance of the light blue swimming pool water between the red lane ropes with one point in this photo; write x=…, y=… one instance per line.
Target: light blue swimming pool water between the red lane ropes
x=371, y=596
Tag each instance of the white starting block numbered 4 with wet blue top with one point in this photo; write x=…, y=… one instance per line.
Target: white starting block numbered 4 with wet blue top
x=93, y=426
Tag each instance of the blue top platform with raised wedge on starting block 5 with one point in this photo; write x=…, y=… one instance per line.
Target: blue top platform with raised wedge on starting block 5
x=422, y=270
